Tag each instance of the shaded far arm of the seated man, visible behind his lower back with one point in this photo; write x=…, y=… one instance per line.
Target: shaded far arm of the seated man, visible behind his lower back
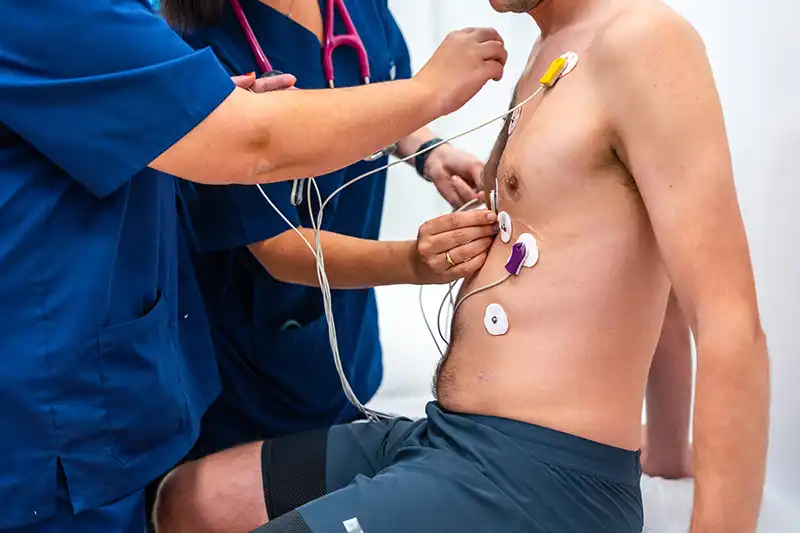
x=669, y=400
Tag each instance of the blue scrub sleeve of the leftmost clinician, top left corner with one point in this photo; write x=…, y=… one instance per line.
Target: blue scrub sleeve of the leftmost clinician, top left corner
x=101, y=87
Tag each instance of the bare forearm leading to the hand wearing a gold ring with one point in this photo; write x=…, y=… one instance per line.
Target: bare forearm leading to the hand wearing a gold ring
x=350, y=263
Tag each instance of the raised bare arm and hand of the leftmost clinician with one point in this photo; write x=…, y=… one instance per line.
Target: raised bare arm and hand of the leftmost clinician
x=261, y=138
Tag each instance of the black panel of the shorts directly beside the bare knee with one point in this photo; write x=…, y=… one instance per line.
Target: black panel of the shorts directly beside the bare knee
x=293, y=472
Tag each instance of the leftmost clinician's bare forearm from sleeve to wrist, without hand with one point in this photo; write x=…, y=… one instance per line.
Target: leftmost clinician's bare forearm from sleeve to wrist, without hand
x=277, y=136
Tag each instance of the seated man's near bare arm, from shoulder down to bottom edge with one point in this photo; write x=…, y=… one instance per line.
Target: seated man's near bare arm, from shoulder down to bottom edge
x=670, y=133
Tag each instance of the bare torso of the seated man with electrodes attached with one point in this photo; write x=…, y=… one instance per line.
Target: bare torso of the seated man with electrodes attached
x=584, y=322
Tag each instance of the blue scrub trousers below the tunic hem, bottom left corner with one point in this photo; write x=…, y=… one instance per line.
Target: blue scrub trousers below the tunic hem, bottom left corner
x=122, y=516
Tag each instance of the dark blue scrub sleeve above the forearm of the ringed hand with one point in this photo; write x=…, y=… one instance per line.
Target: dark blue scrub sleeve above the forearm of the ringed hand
x=223, y=218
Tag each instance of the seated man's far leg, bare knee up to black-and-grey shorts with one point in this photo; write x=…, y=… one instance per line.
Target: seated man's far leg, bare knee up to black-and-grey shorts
x=240, y=489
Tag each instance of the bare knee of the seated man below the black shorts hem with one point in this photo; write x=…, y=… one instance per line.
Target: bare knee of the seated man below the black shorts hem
x=222, y=493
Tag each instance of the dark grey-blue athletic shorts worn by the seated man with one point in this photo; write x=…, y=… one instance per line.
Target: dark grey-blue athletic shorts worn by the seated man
x=449, y=473
